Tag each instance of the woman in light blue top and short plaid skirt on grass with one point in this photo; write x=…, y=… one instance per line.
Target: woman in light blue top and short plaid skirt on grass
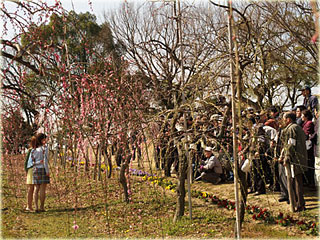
x=40, y=157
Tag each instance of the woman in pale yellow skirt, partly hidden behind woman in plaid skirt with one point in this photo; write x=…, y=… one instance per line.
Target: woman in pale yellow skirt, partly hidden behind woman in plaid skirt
x=29, y=170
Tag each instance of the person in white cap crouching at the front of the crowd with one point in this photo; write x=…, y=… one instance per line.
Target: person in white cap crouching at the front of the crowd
x=211, y=169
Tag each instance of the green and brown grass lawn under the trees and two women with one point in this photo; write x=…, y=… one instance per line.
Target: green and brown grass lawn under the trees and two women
x=97, y=207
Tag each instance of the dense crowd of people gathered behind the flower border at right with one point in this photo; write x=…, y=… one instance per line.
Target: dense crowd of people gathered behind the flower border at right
x=270, y=141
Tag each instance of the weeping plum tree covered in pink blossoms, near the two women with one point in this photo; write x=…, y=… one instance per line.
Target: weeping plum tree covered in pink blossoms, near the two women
x=110, y=108
